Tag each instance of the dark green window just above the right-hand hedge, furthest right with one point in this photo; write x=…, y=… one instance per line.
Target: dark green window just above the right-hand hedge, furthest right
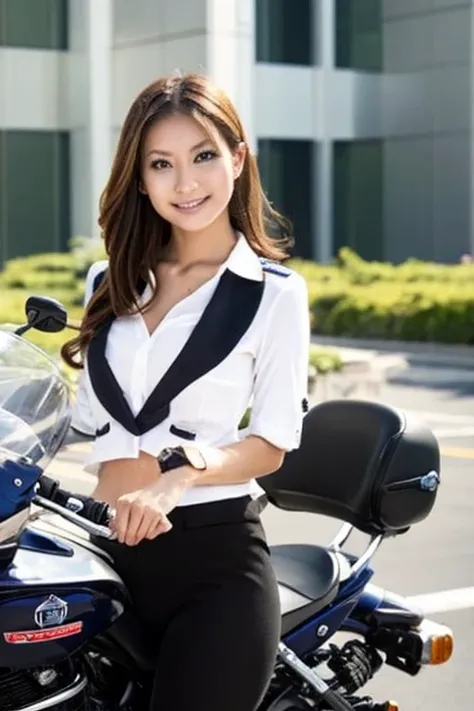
x=358, y=197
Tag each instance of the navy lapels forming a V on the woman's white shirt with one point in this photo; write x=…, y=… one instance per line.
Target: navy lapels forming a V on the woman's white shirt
x=225, y=320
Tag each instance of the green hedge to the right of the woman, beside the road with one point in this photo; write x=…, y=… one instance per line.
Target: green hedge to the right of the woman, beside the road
x=413, y=301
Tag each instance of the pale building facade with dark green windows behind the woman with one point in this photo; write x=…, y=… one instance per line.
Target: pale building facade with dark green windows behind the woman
x=360, y=112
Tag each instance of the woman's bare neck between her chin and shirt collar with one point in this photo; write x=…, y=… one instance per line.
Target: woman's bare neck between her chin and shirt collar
x=212, y=244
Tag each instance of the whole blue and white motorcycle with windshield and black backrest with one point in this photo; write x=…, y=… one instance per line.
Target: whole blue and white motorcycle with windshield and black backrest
x=69, y=640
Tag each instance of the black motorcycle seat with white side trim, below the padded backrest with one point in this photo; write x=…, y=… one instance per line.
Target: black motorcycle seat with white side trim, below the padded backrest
x=308, y=578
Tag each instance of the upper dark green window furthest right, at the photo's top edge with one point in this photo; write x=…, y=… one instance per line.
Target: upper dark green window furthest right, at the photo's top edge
x=359, y=35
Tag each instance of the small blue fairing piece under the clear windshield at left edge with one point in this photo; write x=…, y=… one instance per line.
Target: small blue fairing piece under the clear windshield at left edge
x=17, y=482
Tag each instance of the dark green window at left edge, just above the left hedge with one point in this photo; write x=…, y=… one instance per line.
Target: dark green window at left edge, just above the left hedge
x=34, y=194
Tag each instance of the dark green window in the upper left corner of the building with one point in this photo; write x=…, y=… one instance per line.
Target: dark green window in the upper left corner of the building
x=35, y=24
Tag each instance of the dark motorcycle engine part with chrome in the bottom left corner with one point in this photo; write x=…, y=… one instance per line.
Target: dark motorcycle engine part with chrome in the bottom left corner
x=60, y=687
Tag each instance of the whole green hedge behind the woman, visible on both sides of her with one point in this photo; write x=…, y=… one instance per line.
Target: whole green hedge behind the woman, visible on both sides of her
x=413, y=301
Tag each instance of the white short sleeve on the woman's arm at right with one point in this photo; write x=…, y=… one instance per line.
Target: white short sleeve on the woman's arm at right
x=281, y=368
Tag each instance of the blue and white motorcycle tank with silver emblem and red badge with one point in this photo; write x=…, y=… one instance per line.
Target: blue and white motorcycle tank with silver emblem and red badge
x=37, y=630
